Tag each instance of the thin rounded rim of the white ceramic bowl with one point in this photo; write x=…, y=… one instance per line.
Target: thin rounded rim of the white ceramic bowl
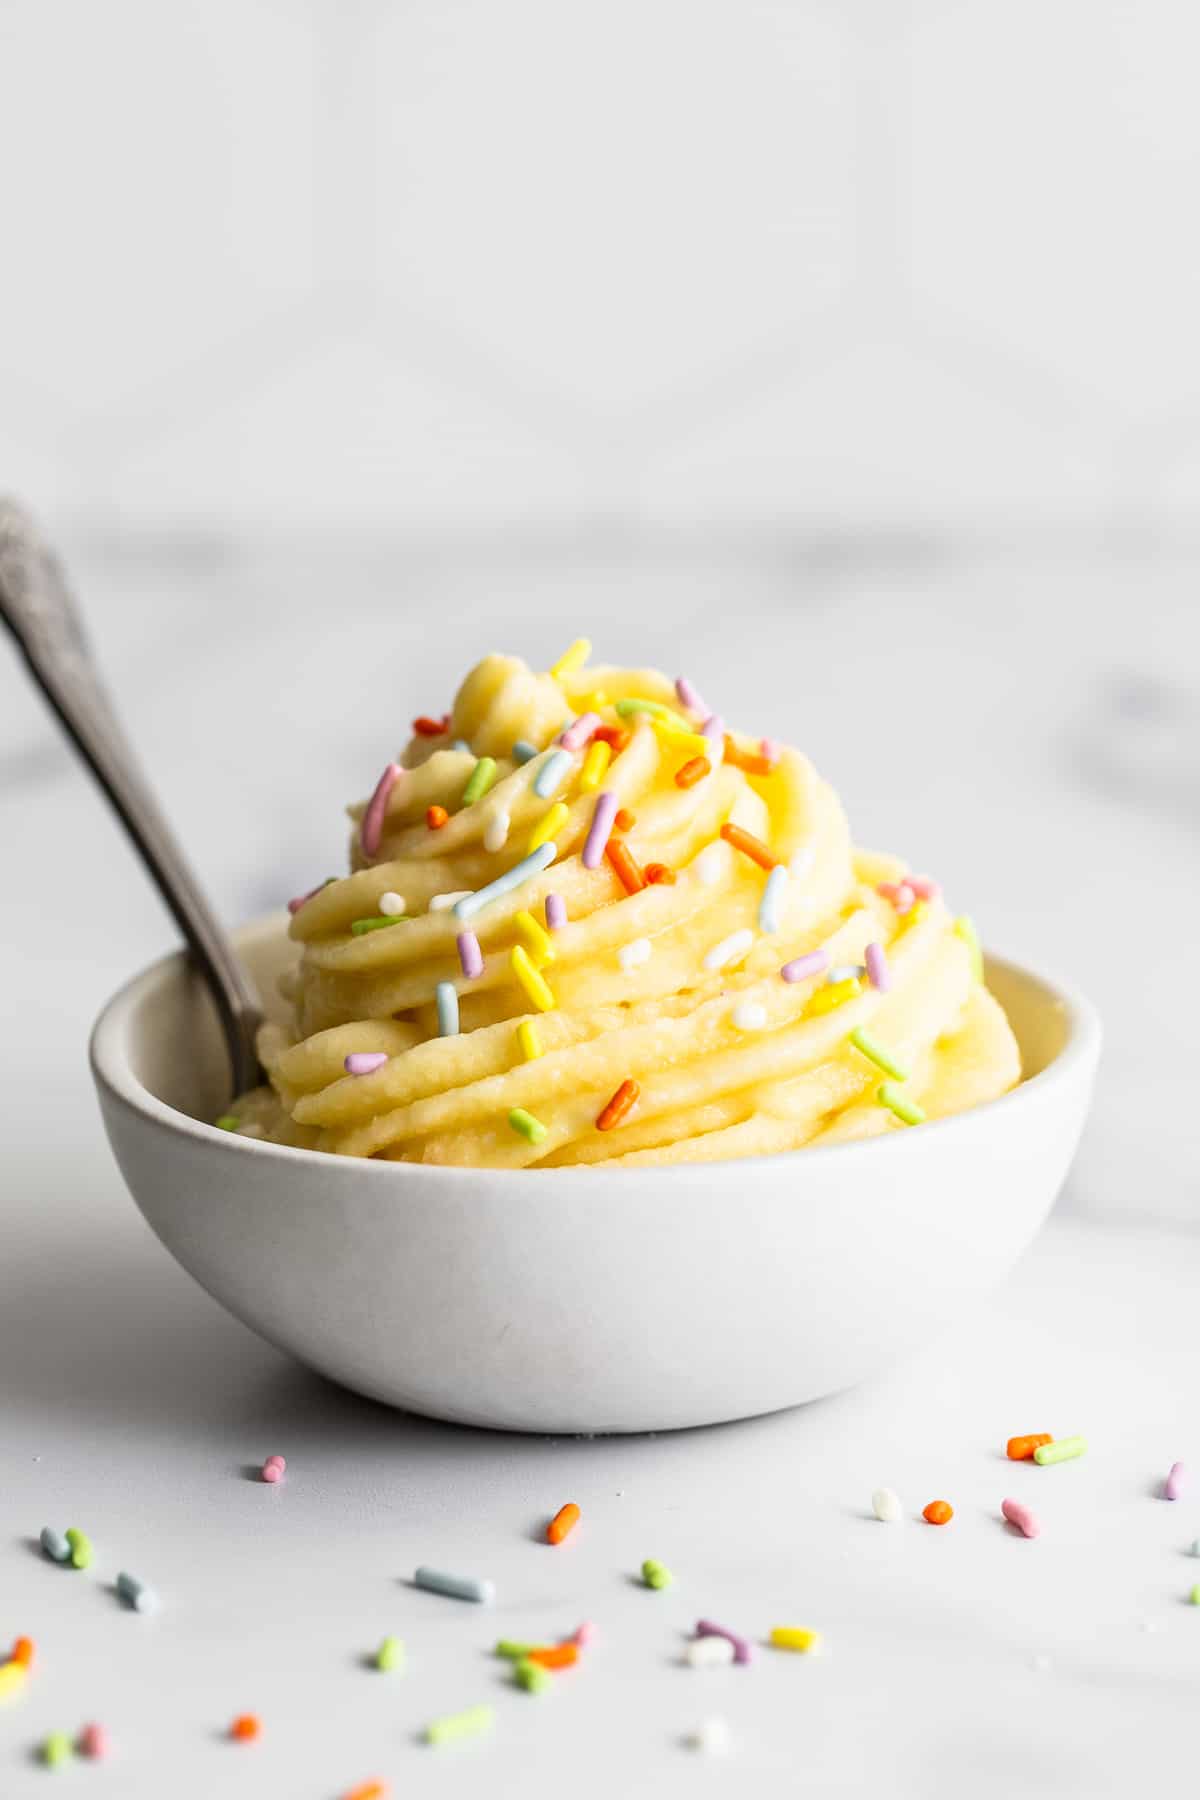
x=114, y=1077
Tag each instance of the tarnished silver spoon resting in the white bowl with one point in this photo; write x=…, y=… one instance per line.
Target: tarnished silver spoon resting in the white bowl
x=39, y=609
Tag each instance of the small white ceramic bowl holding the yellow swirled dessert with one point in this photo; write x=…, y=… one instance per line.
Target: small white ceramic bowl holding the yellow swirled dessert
x=587, y=1300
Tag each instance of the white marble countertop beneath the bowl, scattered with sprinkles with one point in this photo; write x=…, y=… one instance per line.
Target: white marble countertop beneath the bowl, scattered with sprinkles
x=1025, y=726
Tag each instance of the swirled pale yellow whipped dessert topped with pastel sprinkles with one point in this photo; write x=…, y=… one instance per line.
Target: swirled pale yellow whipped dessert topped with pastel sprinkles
x=728, y=1021
